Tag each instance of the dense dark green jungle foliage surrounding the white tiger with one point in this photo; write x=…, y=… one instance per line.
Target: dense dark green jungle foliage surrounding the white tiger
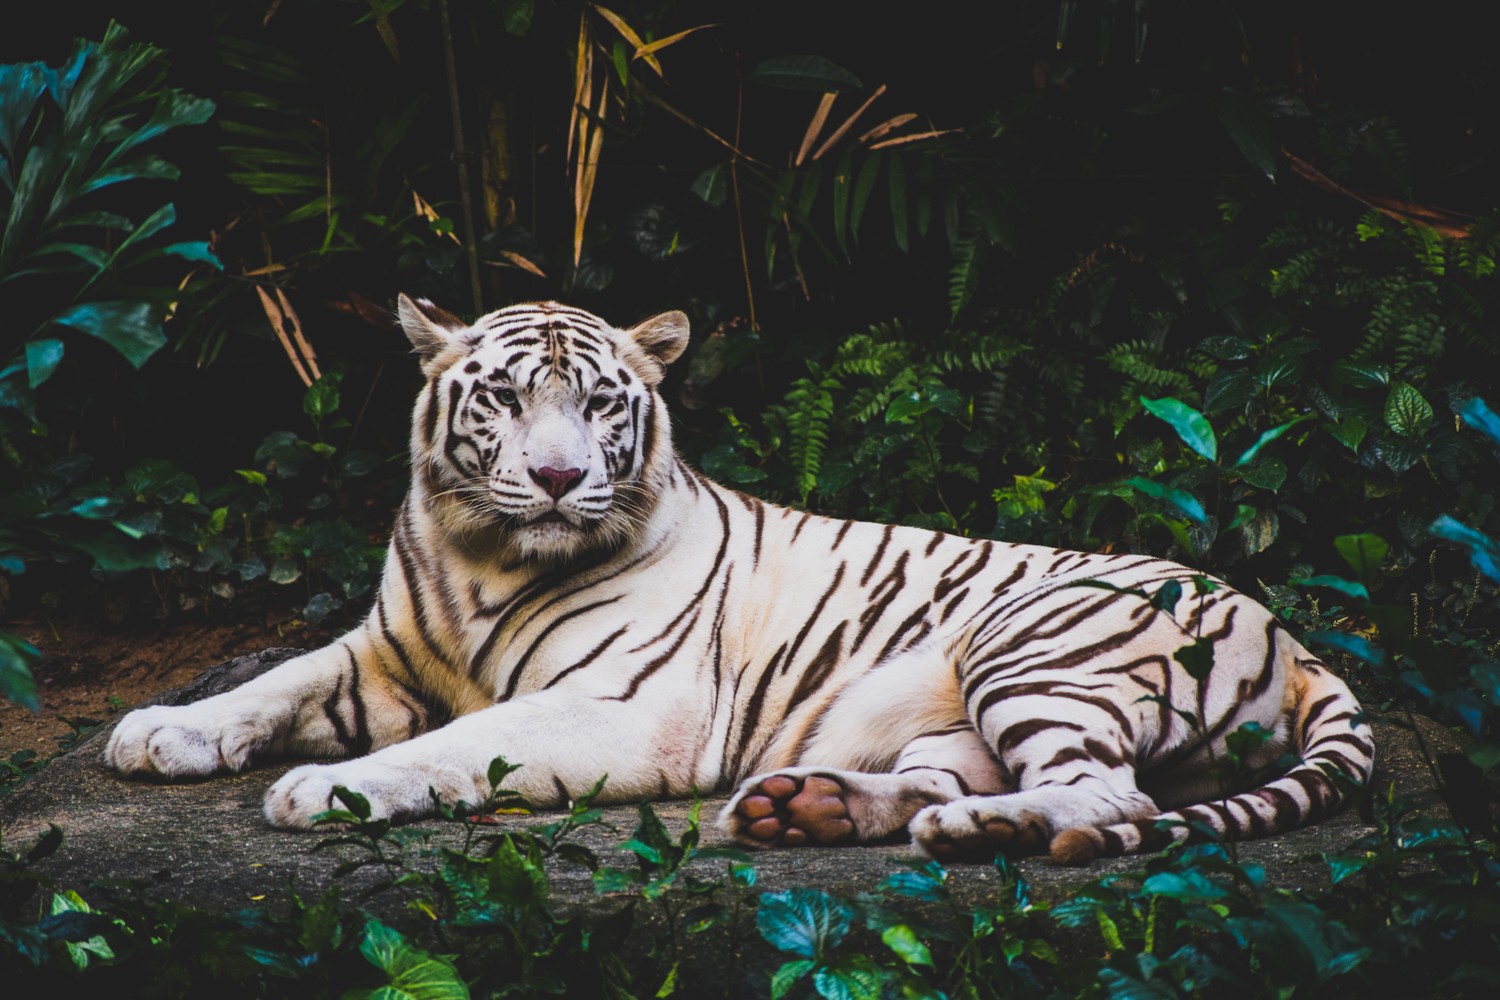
x=1208, y=281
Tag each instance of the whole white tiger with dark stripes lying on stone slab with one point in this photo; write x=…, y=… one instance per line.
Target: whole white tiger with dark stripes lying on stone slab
x=565, y=591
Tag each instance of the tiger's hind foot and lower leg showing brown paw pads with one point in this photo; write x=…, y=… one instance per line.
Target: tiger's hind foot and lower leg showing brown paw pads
x=799, y=807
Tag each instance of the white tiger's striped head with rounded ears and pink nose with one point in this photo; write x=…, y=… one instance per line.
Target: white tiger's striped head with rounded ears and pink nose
x=541, y=430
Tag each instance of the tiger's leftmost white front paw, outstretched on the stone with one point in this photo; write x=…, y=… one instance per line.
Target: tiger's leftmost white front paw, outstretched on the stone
x=184, y=741
